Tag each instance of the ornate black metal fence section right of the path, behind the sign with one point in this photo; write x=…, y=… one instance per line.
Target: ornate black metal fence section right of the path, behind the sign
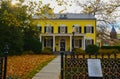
x=75, y=67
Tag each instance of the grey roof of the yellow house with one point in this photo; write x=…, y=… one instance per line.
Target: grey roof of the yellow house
x=68, y=16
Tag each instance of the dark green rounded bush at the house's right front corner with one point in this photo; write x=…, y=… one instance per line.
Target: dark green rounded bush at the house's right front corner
x=92, y=49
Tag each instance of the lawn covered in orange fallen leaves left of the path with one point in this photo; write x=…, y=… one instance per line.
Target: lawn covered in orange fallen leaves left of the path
x=21, y=67
